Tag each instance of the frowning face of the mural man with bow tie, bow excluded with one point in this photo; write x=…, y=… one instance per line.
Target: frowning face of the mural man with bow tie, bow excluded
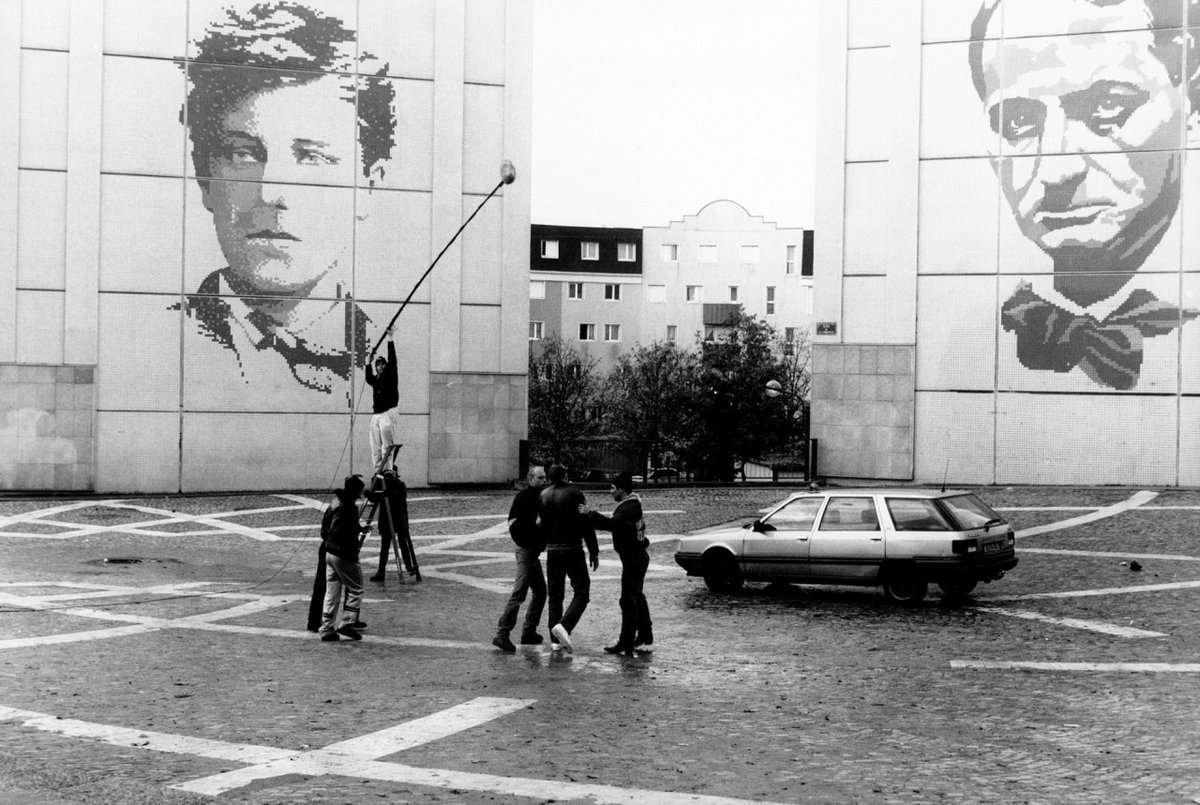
x=1093, y=124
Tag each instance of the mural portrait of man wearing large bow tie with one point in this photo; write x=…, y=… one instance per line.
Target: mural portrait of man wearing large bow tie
x=1090, y=158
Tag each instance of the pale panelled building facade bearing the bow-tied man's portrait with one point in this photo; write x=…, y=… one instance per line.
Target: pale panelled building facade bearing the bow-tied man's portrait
x=1005, y=285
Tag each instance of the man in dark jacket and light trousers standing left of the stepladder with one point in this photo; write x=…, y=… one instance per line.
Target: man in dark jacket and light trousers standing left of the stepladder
x=341, y=533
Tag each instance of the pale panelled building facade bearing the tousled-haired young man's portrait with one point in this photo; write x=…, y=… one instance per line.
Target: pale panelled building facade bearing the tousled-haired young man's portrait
x=211, y=211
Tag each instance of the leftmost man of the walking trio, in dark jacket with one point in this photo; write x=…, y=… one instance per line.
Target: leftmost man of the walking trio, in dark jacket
x=525, y=531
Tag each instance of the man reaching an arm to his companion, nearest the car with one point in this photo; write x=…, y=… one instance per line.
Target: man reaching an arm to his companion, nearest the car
x=629, y=542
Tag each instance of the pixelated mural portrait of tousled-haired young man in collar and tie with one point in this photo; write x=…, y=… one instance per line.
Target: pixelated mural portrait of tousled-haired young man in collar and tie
x=285, y=116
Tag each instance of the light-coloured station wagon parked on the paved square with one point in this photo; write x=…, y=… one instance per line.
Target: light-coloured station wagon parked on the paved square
x=899, y=539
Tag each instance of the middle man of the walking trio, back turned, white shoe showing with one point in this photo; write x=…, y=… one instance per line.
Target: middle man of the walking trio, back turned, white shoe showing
x=566, y=528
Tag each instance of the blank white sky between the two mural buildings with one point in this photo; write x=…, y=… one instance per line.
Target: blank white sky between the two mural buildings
x=645, y=111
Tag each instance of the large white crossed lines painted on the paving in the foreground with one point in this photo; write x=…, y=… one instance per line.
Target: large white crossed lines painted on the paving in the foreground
x=358, y=758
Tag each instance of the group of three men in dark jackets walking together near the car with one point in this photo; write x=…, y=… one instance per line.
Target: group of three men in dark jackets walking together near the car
x=551, y=515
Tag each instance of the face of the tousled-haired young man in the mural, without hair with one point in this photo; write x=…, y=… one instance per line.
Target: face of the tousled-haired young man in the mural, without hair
x=281, y=152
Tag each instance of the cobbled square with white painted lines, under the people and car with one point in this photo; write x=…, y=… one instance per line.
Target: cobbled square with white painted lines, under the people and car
x=188, y=677
